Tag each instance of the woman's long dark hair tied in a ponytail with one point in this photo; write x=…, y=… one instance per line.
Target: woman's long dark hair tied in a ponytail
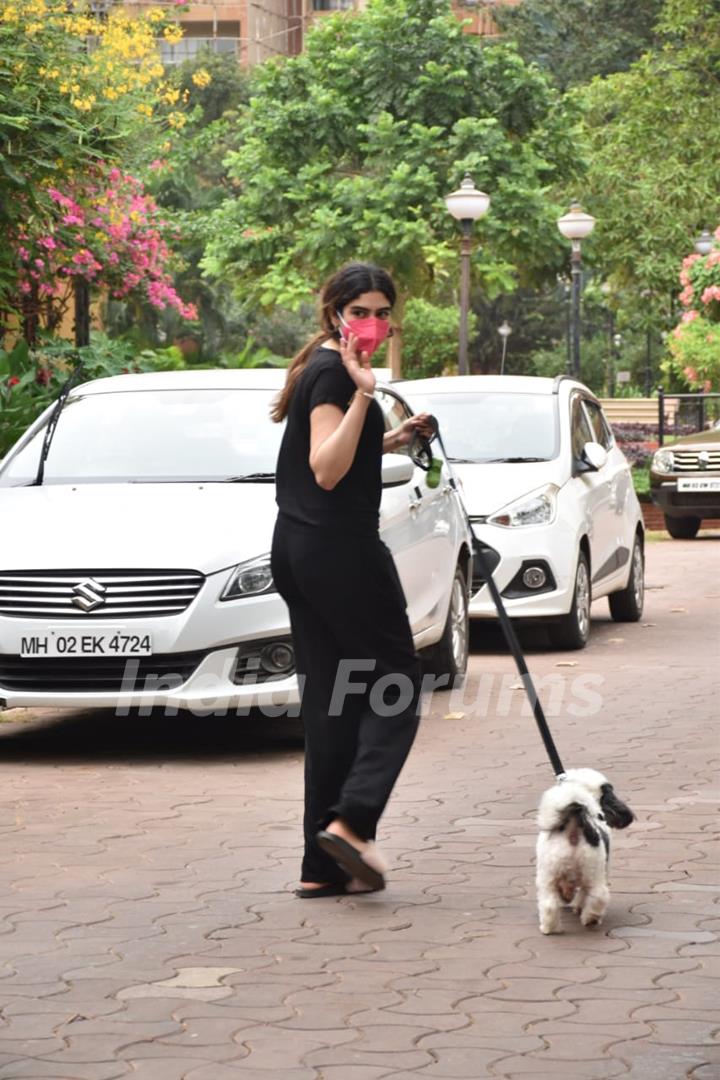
x=345, y=287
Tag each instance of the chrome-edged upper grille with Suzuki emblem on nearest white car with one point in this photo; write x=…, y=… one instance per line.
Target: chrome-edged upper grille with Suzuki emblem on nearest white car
x=98, y=595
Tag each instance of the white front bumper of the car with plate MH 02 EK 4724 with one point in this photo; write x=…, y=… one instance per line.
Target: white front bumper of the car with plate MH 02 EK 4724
x=195, y=665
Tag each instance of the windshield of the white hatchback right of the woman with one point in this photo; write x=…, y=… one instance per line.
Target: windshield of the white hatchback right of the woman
x=494, y=427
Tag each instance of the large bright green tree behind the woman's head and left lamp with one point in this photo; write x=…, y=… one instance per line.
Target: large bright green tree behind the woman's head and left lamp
x=348, y=151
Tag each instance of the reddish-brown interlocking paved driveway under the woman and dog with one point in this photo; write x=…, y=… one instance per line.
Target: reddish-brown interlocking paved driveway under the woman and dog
x=147, y=929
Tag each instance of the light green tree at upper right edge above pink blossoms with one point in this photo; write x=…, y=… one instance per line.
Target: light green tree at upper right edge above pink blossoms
x=654, y=175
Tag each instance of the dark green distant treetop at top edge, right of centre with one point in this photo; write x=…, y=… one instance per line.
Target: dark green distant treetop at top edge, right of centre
x=576, y=40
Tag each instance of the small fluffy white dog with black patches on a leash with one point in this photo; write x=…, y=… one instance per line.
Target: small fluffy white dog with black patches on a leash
x=574, y=847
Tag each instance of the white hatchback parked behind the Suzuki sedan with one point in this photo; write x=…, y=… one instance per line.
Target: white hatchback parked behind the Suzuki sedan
x=549, y=493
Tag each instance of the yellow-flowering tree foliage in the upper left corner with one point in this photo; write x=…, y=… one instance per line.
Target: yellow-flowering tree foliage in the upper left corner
x=75, y=89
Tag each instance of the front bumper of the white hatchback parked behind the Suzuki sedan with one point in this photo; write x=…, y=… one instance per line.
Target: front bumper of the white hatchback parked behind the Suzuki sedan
x=554, y=546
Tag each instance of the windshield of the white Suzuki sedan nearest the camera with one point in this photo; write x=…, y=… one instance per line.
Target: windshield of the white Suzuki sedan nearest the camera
x=156, y=436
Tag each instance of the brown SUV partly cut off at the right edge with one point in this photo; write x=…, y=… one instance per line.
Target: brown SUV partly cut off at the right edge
x=685, y=482
